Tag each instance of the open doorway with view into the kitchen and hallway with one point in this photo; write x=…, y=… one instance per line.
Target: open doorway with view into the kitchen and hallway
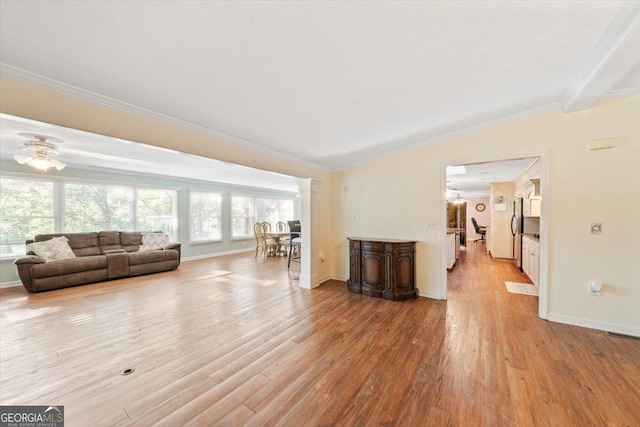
x=487, y=190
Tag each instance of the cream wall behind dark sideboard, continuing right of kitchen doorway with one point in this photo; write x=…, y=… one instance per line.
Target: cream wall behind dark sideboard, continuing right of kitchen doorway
x=398, y=196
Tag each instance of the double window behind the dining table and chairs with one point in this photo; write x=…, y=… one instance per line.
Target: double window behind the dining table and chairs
x=245, y=211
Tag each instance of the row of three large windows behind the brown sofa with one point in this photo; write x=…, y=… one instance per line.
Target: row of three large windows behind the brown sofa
x=33, y=206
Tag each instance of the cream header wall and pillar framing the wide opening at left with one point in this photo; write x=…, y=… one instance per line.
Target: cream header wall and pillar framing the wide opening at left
x=22, y=100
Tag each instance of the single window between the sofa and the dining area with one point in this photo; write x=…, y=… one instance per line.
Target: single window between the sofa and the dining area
x=205, y=216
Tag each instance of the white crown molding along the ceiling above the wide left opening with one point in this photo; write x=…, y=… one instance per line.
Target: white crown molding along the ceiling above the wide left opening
x=51, y=85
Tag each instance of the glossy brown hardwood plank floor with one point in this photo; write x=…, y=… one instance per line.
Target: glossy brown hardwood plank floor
x=234, y=341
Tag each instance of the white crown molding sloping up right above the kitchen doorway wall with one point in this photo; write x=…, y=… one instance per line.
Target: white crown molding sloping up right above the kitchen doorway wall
x=455, y=134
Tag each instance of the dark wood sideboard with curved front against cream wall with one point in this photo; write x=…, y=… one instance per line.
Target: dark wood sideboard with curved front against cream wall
x=382, y=268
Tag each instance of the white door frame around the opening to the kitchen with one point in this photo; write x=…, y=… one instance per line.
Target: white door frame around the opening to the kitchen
x=543, y=286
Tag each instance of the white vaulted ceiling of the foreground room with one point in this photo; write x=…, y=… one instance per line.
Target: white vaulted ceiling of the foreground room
x=332, y=84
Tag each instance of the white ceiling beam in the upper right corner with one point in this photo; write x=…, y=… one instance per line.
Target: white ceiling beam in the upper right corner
x=612, y=58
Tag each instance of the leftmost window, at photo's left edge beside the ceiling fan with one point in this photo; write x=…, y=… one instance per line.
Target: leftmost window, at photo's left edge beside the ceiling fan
x=27, y=209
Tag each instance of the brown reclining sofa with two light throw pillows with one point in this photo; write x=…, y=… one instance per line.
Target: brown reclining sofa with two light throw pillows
x=100, y=256
